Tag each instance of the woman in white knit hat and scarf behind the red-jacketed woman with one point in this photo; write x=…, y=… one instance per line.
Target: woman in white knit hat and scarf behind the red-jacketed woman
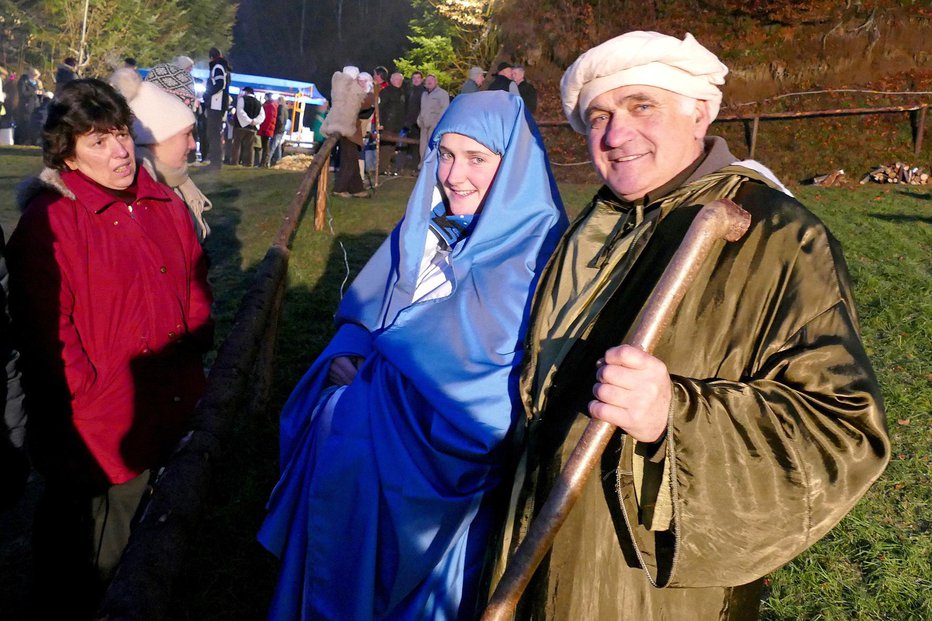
x=164, y=126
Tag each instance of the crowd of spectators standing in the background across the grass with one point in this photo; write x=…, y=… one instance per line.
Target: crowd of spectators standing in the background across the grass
x=250, y=129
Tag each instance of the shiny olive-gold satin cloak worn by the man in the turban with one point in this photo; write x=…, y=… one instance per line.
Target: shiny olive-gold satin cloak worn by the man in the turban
x=776, y=428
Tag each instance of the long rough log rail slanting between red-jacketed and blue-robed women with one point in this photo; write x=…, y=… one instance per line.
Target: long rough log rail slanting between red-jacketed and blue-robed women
x=240, y=379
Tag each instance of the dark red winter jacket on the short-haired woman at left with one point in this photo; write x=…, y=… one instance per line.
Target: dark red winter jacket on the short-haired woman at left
x=112, y=310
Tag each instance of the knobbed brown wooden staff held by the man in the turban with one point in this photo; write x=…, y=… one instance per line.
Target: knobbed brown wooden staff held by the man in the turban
x=721, y=219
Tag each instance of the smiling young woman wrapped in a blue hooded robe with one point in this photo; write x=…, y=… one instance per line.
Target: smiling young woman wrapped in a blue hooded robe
x=396, y=438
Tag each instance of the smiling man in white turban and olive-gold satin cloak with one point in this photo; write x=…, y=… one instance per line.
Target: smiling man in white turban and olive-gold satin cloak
x=757, y=423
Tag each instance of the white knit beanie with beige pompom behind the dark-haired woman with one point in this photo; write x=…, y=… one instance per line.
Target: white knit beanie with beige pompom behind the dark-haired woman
x=159, y=115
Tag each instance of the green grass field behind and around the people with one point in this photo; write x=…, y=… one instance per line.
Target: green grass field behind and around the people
x=874, y=565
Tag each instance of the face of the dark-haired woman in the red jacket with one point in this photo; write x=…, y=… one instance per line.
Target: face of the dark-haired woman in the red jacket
x=105, y=157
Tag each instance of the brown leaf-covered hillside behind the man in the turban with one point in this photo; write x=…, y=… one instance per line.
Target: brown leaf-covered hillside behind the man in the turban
x=773, y=50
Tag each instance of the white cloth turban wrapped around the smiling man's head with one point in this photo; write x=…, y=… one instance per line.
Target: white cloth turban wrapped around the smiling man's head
x=647, y=58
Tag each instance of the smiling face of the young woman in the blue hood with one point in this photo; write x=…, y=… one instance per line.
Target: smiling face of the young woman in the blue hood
x=467, y=169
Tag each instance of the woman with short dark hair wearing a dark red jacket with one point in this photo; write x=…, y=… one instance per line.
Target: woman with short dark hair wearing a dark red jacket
x=111, y=306
